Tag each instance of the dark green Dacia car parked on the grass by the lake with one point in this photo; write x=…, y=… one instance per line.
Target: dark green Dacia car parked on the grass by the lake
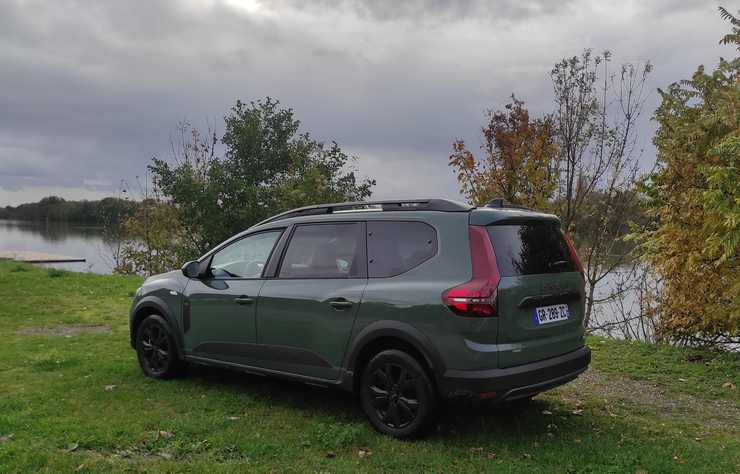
x=405, y=303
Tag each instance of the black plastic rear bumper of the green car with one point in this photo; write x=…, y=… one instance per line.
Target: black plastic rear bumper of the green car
x=515, y=382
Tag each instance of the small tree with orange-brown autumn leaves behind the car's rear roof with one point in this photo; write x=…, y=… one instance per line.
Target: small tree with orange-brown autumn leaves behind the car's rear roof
x=518, y=160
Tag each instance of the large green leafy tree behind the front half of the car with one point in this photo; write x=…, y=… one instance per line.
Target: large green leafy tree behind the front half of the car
x=268, y=166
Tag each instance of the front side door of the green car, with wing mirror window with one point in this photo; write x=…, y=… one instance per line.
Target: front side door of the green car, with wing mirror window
x=220, y=309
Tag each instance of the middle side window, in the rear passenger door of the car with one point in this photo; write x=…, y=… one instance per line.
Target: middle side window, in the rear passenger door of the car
x=326, y=251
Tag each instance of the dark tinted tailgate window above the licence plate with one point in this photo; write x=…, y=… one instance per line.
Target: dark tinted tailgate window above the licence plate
x=530, y=249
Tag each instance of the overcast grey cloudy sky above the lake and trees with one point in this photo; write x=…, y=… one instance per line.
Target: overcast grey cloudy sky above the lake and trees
x=90, y=91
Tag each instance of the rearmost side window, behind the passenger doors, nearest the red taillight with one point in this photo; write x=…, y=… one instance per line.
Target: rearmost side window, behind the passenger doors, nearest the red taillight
x=397, y=247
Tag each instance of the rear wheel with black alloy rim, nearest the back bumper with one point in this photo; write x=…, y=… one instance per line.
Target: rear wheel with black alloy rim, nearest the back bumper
x=397, y=395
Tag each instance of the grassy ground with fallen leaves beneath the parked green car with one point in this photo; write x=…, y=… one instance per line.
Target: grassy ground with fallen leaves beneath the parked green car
x=72, y=398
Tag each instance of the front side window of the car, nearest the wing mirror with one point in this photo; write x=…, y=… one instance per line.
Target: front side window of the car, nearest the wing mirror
x=245, y=258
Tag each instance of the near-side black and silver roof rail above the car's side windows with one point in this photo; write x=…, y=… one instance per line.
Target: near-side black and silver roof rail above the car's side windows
x=444, y=205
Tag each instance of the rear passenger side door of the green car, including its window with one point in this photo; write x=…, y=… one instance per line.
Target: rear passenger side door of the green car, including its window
x=306, y=314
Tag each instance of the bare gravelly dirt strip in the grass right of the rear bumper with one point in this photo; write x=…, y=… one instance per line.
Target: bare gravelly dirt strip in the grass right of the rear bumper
x=616, y=389
